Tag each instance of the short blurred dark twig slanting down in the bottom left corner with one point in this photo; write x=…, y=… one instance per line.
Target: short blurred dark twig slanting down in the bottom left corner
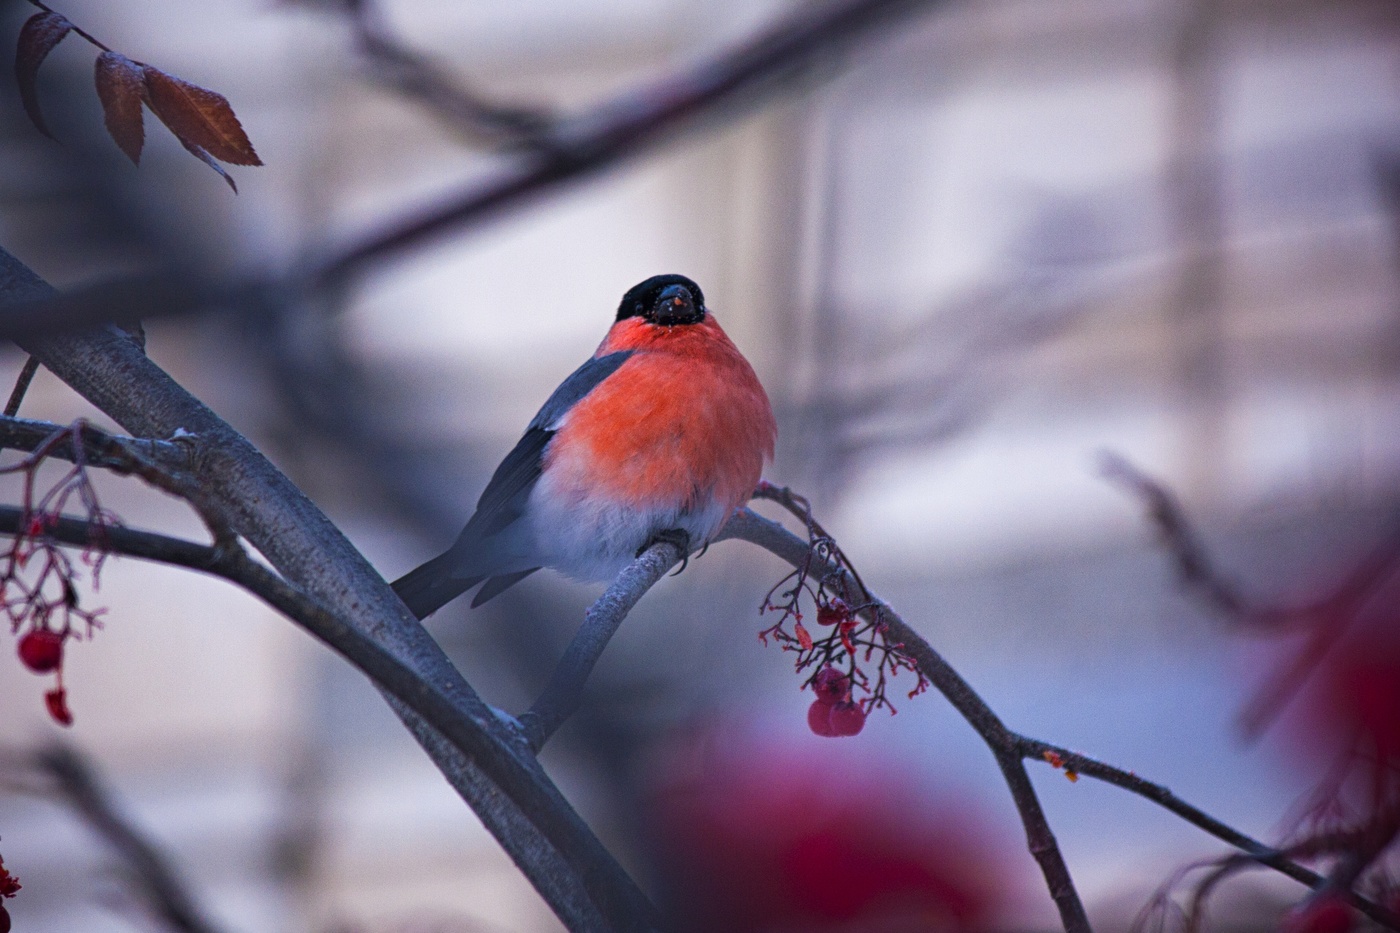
x=79, y=784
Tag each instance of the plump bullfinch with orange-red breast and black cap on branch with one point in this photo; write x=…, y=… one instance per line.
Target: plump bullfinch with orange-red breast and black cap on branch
x=660, y=436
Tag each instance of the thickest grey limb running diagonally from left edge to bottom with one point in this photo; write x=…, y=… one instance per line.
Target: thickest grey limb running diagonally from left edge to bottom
x=268, y=511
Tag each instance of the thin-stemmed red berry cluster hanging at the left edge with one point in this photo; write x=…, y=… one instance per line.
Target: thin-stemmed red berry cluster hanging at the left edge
x=38, y=579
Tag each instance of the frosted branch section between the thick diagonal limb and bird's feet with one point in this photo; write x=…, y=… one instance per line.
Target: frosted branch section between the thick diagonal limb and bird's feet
x=565, y=690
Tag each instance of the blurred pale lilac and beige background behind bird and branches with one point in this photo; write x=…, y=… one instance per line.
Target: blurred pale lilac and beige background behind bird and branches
x=967, y=257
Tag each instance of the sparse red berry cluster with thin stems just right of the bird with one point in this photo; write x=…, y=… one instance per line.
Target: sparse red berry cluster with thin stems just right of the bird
x=849, y=661
